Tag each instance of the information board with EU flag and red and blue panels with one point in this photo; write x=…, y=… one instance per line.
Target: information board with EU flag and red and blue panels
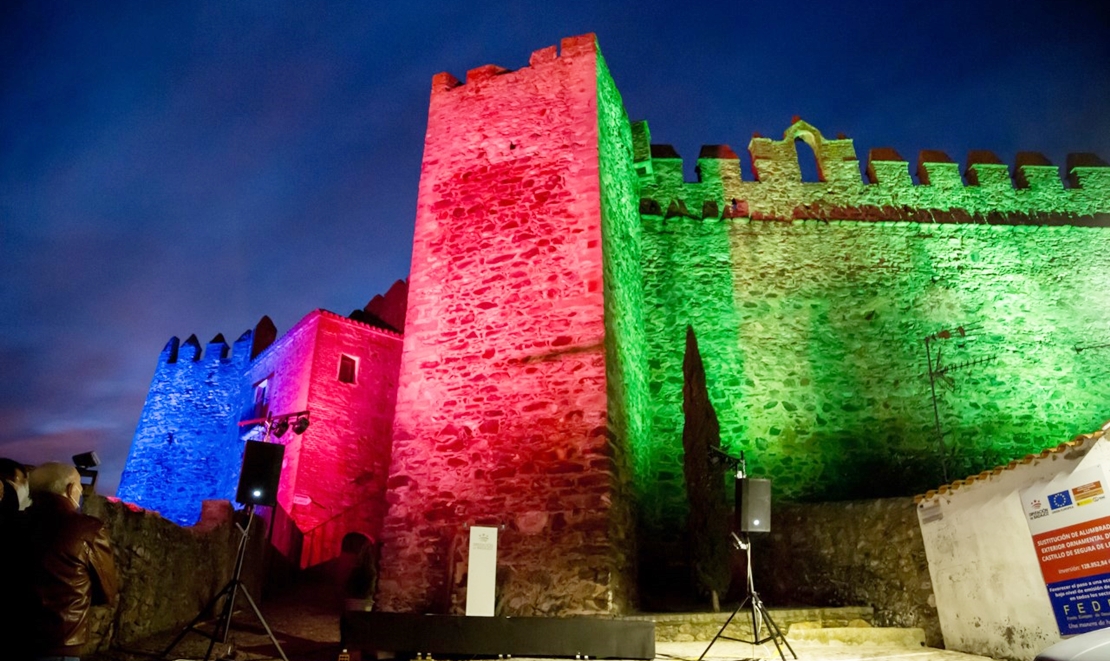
x=1069, y=519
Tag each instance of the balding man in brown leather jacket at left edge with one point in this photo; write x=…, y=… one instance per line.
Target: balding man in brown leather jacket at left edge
x=69, y=566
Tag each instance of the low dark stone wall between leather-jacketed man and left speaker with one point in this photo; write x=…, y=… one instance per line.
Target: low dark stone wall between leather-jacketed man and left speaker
x=167, y=573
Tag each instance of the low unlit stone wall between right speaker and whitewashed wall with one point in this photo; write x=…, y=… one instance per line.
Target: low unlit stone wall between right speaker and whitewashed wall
x=850, y=554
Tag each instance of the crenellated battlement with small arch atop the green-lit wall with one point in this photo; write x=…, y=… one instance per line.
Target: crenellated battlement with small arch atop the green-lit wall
x=983, y=192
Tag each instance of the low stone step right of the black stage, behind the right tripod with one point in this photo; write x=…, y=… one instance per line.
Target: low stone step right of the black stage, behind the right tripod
x=692, y=627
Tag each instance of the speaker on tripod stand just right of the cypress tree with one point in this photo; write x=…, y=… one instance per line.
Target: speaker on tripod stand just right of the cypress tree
x=753, y=515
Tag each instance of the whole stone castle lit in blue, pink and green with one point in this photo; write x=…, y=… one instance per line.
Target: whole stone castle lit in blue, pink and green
x=559, y=261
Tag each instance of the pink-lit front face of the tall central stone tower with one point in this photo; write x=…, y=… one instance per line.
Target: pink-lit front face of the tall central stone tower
x=502, y=412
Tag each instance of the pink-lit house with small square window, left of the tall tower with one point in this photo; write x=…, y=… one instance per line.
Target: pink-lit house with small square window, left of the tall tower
x=335, y=474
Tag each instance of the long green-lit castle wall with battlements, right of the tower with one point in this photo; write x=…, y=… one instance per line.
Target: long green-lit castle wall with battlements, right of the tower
x=812, y=301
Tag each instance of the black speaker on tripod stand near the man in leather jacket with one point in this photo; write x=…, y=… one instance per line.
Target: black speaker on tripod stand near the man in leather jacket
x=258, y=486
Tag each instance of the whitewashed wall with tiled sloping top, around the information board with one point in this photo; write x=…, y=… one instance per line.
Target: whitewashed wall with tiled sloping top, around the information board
x=991, y=595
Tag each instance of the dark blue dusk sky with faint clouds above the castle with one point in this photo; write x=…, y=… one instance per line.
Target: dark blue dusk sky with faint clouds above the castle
x=178, y=168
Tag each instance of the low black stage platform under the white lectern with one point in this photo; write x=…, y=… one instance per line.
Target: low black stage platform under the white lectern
x=601, y=638
